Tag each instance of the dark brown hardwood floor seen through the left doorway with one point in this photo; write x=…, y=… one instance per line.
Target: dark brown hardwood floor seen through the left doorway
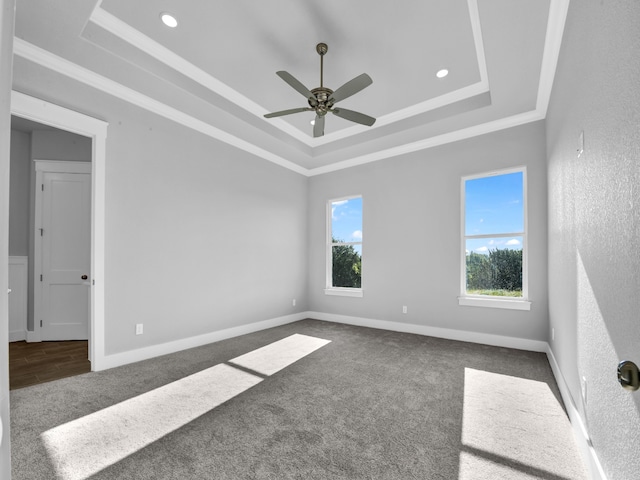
x=39, y=362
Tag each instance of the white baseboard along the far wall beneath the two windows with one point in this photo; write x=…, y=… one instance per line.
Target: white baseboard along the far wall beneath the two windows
x=447, y=333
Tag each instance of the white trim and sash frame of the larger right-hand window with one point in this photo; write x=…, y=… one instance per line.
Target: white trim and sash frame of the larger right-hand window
x=520, y=303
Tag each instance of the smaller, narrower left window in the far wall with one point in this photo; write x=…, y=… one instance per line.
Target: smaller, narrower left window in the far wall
x=344, y=247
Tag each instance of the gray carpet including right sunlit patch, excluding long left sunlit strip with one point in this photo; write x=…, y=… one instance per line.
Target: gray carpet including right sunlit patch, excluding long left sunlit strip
x=370, y=404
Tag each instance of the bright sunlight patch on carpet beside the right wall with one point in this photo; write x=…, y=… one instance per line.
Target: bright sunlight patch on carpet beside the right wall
x=515, y=428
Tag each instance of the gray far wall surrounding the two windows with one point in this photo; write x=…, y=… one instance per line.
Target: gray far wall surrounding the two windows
x=411, y=244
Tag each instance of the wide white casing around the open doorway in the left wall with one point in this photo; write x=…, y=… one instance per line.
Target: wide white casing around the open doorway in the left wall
x=56, y=116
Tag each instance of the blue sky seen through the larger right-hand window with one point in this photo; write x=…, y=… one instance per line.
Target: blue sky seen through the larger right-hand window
x=494, y=205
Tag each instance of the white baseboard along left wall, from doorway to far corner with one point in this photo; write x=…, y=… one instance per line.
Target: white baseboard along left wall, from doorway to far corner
x=124, y=358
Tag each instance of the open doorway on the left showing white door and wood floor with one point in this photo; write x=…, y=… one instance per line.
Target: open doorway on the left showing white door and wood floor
x=49, y=252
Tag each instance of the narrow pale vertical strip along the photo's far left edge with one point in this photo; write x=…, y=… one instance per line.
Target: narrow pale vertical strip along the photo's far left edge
x=7, y=11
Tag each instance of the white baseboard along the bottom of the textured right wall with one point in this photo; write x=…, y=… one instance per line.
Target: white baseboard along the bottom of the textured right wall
x=581, y=434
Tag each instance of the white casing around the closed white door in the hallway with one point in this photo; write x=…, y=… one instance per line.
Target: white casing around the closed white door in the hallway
x=42, y=167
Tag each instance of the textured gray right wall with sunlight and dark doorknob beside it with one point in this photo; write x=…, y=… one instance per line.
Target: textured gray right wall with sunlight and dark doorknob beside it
x=594, y=222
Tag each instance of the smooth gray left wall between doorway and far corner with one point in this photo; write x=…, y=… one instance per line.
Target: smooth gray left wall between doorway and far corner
x=199, y=236
